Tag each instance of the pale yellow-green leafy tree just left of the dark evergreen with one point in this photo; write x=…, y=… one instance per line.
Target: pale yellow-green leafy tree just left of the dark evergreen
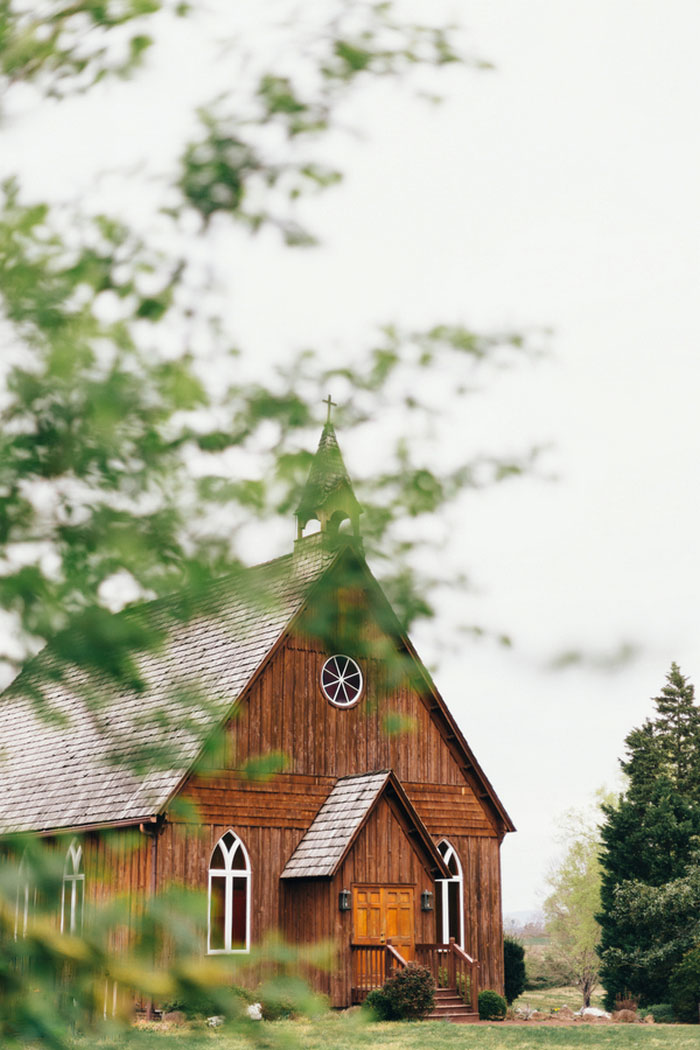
x=572, y=907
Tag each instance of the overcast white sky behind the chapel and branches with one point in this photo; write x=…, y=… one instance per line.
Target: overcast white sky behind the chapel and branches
x=560, y=191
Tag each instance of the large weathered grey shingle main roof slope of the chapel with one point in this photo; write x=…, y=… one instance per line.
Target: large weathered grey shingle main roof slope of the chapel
x=98, y=766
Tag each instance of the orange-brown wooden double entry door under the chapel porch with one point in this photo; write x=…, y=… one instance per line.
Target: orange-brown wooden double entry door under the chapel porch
x=385, y=915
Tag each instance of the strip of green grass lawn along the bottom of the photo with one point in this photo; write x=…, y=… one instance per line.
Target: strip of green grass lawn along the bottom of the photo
x=350, y=1033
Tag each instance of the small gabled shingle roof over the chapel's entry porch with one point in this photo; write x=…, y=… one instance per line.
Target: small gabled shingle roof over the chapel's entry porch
x=337, y=824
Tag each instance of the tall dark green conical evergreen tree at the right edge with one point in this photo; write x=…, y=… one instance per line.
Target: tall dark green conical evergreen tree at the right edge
x=649, y=838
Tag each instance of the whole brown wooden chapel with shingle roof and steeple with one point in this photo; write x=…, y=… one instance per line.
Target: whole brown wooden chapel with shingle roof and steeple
x=388, y=844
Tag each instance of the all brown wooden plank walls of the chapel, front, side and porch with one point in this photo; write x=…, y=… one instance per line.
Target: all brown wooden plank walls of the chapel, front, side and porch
x=286, y=711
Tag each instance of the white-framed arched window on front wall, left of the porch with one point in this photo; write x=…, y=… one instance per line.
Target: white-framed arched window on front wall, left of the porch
x=229, y=897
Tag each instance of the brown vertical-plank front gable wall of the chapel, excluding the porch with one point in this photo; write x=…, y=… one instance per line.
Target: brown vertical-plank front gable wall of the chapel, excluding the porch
x=285, y=710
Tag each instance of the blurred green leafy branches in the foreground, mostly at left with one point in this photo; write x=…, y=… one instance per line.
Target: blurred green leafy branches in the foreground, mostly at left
x=137, y=444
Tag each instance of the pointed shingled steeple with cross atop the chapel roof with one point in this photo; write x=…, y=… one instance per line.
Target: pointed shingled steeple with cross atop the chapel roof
x=328, y=496
